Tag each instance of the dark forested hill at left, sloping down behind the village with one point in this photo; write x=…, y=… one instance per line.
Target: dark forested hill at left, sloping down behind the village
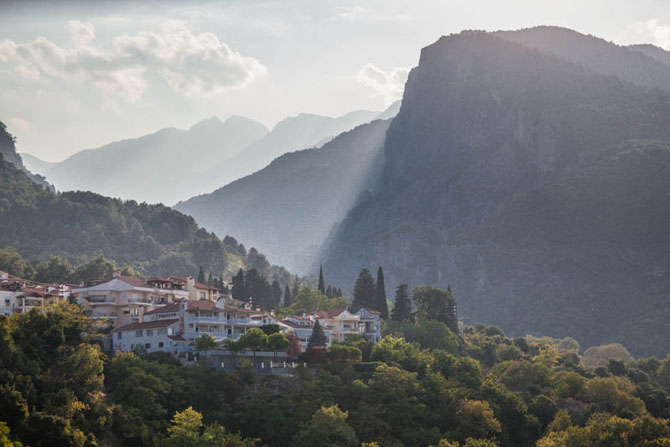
x=78, y=226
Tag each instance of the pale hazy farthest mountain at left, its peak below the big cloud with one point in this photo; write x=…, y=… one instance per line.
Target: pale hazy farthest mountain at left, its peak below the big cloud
x=165, y=166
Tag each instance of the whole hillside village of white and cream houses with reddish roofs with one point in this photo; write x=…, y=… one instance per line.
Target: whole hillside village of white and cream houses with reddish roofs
x=170, y=314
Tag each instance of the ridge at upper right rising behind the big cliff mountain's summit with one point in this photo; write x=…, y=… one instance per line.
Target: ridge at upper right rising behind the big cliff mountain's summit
x=597, y=54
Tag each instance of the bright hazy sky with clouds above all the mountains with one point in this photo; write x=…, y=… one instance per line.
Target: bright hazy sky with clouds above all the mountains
x=80, y=74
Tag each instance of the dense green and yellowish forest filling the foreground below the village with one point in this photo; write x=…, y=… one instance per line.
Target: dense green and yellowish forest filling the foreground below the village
x=422, y=385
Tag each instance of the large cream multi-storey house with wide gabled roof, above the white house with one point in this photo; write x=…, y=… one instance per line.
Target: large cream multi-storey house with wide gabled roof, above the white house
x=121, y=300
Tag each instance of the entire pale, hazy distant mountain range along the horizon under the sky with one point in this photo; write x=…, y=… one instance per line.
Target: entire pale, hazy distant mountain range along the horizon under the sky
x=172, y=164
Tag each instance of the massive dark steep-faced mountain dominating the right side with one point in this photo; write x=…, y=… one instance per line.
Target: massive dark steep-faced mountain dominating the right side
x=538, y=188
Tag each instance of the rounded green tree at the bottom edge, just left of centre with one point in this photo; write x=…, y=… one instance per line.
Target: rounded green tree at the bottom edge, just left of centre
x=328, y=428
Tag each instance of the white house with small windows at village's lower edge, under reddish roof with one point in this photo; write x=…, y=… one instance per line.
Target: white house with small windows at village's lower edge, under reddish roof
x=150, y=336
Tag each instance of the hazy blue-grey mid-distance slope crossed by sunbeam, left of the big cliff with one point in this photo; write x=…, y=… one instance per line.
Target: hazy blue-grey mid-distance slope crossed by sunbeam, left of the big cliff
x=290, y=206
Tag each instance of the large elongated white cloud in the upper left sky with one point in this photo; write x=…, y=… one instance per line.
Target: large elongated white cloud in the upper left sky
x=191, y=64
